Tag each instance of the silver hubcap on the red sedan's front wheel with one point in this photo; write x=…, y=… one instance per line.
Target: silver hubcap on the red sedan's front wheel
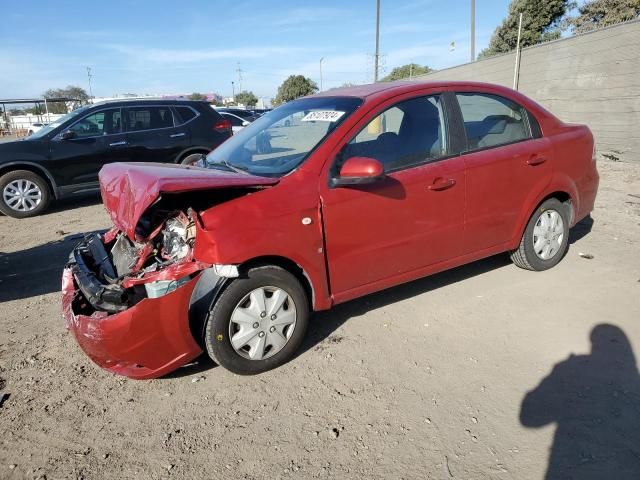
x=262, y=323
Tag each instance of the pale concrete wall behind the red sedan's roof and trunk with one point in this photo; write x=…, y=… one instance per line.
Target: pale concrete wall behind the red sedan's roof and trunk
x=592, y=78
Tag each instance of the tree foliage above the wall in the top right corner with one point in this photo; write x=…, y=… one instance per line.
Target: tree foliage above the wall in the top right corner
x=602, y=13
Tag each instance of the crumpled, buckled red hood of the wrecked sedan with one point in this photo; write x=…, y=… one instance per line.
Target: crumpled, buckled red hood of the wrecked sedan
x=128, y=189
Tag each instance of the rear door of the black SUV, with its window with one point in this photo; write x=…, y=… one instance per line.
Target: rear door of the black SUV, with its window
x=154, y=135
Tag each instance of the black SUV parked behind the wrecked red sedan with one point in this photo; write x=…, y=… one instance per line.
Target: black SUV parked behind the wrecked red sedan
x=64, y=158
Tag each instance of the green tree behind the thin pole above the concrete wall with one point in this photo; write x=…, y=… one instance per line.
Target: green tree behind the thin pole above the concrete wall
x=540, y=22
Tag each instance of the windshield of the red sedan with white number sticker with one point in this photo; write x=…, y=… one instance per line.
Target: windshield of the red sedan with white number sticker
x=282, y=139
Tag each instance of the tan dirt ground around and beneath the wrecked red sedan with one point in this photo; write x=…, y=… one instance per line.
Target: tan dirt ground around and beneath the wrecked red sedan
x=426, y=380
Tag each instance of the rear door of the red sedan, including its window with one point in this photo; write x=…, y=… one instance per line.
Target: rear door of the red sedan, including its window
x=507, y=162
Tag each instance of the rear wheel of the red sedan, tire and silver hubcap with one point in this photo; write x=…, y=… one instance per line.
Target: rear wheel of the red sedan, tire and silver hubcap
x=551, y=241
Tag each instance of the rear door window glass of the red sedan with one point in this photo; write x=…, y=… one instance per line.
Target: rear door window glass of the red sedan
x=491, y=120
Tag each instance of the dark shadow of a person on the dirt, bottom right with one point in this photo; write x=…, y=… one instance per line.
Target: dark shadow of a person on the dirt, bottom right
x=595, y=401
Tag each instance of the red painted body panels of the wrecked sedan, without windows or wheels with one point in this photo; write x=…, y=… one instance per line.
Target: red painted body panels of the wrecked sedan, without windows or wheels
x=415, y=222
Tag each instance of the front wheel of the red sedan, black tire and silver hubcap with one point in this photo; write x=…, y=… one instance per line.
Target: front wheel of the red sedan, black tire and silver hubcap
x=239, y=301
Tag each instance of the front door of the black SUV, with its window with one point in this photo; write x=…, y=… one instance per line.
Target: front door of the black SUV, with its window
x=97, y=139
